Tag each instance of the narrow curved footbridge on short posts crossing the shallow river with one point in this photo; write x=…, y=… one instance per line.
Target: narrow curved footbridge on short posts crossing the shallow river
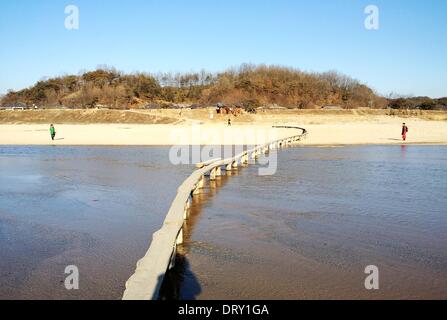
x=146, y=282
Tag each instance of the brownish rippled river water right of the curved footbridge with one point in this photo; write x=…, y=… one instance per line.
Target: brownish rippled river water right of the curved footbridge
x=309, y=231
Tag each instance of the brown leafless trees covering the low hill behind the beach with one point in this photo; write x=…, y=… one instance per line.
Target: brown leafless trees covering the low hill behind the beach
x=247, y=86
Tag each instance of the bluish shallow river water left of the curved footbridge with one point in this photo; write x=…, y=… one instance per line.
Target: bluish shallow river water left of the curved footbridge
x=92, y=207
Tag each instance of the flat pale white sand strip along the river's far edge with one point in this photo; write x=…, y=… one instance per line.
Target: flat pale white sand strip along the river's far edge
x=382, y=131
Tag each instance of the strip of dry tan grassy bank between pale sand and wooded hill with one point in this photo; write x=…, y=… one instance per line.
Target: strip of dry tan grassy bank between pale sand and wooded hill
x=172, y=116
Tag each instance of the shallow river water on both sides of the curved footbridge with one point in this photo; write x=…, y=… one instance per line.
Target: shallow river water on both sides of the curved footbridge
x=306, y=232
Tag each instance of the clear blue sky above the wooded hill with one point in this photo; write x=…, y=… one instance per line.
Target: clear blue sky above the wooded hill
x=407, y=55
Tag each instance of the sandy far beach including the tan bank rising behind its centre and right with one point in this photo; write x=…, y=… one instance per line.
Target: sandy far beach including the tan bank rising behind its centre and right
x=199, y=127
